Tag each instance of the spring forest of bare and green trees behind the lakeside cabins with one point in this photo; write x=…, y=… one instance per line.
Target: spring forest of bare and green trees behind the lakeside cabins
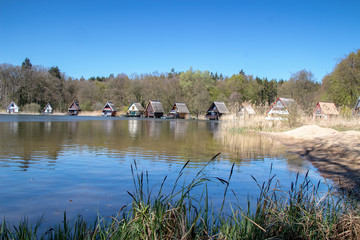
x=32, y=87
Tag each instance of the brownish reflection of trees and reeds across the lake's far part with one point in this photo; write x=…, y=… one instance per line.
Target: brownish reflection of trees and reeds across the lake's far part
x=178, y=140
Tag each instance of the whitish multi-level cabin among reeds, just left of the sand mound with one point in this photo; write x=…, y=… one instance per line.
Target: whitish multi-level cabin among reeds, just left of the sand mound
x=280, y=108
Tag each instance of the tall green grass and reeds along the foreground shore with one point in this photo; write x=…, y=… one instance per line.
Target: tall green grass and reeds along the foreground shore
x=297, y=212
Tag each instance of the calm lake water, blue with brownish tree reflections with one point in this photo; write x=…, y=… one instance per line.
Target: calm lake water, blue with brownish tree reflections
x=49, y=164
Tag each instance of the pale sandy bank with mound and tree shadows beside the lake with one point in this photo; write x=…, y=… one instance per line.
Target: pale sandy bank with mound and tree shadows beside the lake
x=335, y=154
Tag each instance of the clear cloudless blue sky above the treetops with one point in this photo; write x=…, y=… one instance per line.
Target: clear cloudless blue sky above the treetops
x=270, y=39
